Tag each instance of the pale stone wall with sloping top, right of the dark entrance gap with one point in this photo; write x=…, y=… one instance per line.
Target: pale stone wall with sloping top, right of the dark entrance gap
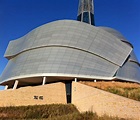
x=88, y=98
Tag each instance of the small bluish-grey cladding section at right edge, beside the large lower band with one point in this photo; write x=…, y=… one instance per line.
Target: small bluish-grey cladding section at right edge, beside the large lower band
x=130, y=71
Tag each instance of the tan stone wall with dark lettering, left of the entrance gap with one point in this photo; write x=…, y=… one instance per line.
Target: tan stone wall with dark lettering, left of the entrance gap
x=51, y=93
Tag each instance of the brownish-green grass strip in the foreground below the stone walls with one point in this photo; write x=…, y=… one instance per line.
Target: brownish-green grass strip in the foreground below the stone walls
x=49, y=112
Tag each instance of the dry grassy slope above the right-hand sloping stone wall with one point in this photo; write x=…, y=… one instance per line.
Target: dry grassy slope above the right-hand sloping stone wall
x=126, y=89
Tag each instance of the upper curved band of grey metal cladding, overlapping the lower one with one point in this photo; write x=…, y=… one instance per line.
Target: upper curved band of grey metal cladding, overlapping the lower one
x=73, y=34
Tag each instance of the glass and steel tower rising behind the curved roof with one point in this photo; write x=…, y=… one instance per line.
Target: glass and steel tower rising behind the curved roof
x=86, y=11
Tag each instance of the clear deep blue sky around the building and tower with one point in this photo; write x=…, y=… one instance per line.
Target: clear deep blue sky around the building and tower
x=18, y=17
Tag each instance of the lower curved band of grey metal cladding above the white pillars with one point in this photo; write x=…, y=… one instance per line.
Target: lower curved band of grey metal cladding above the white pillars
x=58, y=60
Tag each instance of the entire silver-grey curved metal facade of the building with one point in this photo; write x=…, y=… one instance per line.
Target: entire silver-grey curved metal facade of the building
x=70, y=48
